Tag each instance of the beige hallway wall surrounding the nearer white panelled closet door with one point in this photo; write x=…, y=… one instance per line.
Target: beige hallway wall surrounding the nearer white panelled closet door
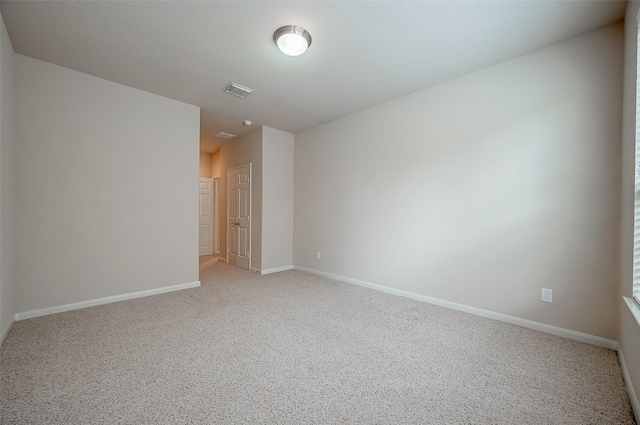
x=236, y=152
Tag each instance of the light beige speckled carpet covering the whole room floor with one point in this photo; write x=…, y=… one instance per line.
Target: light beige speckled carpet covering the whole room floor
x=292, y=348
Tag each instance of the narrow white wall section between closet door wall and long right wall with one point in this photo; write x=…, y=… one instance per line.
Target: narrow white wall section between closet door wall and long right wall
x=277, y=199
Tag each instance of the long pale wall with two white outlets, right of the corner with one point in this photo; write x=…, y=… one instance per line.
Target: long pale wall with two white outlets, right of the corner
x=480, y=191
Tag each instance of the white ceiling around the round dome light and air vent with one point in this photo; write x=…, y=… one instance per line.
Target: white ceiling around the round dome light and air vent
x=363, y=52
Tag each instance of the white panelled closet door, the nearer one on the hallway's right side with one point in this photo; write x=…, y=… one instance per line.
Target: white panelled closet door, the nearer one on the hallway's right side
x=238, y=216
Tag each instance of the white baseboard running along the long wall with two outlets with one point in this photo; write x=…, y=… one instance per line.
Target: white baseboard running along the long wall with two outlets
x=542, y=327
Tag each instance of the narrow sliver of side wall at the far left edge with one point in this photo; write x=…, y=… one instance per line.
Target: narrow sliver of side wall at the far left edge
x=7, y=194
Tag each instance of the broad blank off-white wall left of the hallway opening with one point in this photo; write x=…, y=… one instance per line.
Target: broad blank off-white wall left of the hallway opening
x=96, y=218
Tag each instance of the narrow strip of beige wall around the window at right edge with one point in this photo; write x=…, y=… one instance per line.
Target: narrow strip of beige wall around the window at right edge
x=629, y=334
